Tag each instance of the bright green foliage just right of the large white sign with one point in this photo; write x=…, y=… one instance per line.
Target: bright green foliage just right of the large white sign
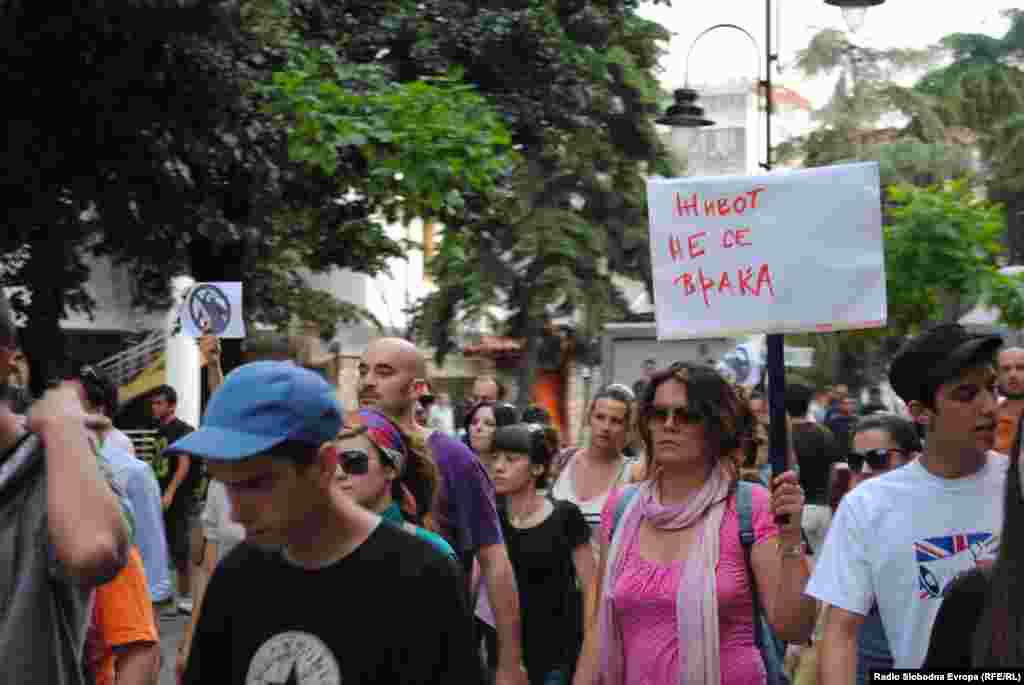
x=954, y=239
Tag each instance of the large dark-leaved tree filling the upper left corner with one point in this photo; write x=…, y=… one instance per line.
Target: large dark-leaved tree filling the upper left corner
x=198, y=169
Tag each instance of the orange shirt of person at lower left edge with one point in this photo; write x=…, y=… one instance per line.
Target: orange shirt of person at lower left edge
x=123, y=615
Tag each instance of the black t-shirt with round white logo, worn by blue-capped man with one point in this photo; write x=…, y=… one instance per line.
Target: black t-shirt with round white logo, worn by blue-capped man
x=396, y=611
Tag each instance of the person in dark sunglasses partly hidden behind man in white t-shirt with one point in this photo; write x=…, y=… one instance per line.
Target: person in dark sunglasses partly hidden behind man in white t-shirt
x=881, y=444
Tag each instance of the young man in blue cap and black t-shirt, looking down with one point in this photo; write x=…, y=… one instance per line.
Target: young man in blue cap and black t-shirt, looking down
x=330, y=580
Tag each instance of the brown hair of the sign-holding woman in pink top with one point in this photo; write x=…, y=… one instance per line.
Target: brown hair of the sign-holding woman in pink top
x=729, y=422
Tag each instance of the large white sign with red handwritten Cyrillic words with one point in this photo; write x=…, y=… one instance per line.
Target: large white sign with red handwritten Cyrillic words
x=791, y=252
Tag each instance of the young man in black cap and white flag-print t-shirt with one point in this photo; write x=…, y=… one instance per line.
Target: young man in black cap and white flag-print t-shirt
x=901, y=540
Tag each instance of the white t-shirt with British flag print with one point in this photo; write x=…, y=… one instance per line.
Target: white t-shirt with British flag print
x=900, y=540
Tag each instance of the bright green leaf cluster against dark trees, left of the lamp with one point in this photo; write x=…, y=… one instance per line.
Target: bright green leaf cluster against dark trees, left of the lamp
x=422, y=144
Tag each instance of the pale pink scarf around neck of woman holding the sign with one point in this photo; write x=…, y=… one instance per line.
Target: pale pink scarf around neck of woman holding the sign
x=697, y=602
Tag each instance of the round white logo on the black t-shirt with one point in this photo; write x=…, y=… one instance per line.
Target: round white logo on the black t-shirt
x=294, y=659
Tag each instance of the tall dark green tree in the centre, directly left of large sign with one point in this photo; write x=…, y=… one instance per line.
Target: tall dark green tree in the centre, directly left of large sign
x=580, y=108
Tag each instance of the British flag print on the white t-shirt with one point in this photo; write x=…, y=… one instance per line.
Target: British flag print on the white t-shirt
x=942, y=561
